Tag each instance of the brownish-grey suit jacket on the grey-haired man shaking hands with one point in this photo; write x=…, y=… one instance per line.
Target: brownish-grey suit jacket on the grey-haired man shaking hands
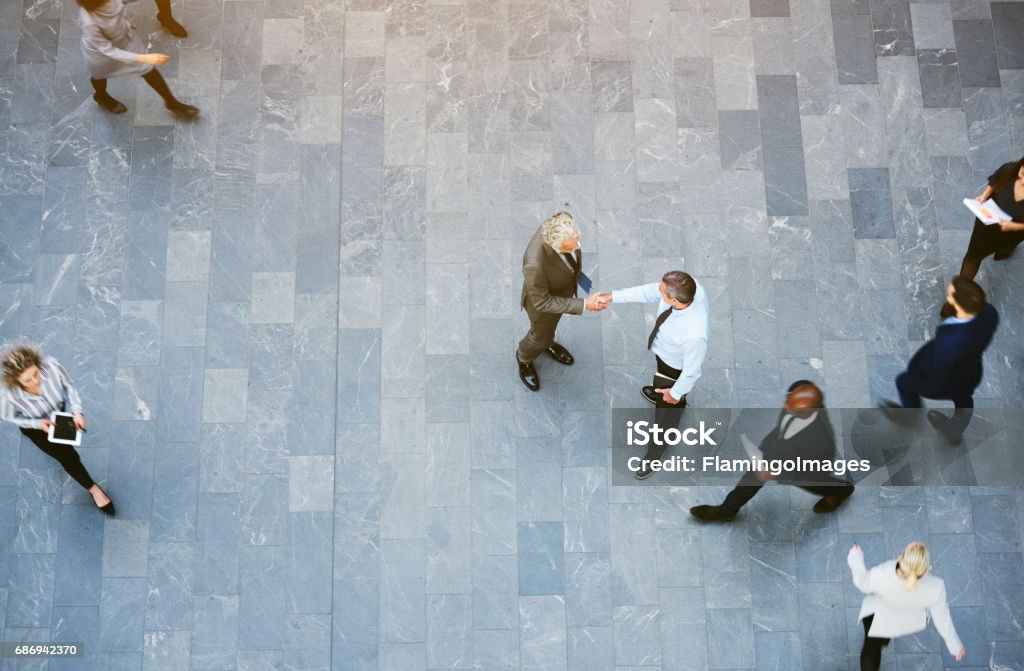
x=549, y=285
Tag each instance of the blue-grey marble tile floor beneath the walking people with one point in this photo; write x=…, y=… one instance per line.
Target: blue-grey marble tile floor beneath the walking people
x=293, y=325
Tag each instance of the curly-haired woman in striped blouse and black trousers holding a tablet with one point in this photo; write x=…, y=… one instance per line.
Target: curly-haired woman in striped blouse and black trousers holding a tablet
x=35, y=388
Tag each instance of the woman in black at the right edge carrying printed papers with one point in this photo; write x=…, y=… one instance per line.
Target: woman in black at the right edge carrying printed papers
x=1006, y=187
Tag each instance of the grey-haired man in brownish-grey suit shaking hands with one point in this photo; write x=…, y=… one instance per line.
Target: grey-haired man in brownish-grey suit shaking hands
x=551, y=268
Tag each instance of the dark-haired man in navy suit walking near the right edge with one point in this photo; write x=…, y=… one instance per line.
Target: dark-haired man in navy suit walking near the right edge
x=949, y=367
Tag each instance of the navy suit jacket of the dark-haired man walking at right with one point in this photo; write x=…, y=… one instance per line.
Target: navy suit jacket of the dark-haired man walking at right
x=951, y=363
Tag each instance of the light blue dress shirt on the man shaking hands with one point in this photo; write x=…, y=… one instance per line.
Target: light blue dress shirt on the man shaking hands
x=682, y=341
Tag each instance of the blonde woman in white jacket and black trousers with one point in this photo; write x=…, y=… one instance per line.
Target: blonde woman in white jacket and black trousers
x=900, y=598
